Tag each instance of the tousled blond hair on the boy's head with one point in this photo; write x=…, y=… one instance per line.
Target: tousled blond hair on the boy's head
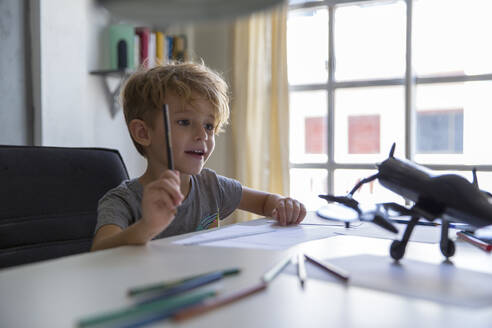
x=144, y=93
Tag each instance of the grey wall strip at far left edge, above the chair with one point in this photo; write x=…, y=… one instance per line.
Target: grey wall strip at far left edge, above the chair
x=15, y=101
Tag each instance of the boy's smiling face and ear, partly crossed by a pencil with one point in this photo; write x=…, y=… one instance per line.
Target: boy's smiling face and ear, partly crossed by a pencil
x=192, y=134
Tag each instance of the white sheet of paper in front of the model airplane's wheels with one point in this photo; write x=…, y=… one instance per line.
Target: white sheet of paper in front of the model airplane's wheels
x=442, y=283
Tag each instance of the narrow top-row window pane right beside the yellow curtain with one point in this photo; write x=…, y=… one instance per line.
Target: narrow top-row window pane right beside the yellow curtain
x=307, y=46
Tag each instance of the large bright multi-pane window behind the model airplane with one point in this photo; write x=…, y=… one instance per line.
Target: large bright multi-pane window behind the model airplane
x=368, y=73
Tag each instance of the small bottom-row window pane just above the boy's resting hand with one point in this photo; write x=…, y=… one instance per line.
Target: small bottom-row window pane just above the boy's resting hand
x=307, y=184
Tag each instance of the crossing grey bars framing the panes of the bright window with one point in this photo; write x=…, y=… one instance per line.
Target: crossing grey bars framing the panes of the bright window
x=409, y=83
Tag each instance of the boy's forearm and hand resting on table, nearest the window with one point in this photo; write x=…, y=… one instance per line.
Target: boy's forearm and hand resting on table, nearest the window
x=284, y=209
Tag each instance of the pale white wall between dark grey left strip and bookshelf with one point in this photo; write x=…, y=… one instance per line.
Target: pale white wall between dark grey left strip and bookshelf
x=71, y=108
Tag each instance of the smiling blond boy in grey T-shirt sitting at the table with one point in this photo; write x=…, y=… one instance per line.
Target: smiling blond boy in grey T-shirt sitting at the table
x=162, y=202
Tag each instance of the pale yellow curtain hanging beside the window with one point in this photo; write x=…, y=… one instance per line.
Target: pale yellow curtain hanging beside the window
x=260, y=103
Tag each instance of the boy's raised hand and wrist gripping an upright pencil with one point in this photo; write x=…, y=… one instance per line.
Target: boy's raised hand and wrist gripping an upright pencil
x=160, y=201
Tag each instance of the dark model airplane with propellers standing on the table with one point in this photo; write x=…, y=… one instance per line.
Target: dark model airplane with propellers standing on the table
x=448, y=197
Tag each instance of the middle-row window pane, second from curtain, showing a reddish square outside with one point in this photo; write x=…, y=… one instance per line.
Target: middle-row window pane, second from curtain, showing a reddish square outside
x=367, y=122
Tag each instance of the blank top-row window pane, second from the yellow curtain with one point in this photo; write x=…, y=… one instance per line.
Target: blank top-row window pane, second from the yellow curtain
x=370, y=40
